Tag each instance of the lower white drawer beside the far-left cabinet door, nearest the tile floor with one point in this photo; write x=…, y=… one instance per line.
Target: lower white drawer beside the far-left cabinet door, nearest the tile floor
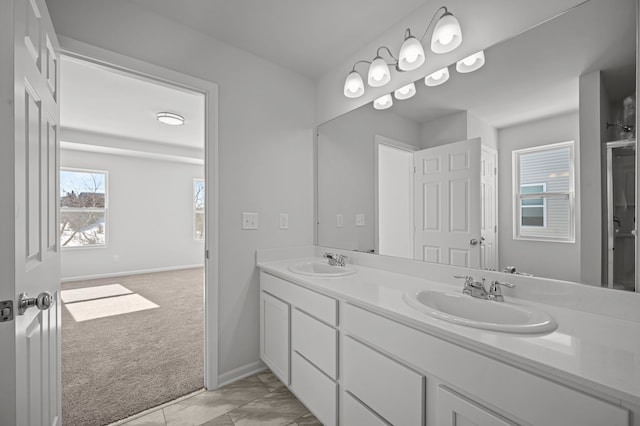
x=318, y=392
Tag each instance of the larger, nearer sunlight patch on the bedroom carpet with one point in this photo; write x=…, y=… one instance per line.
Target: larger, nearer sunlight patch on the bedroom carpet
x=100, y=308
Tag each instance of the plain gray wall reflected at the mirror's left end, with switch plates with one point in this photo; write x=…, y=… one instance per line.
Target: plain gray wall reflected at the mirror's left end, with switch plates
x=346, y=172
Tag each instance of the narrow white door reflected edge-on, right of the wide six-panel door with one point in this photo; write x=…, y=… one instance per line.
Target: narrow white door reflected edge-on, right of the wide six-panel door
x=489, y=202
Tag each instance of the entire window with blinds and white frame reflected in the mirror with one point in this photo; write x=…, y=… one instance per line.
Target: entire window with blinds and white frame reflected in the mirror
x=544, y=193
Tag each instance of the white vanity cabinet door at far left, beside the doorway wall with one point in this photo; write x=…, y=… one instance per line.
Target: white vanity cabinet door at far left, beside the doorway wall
x=274, y=335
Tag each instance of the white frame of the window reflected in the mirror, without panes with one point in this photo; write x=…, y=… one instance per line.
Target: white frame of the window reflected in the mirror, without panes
x=518, y=197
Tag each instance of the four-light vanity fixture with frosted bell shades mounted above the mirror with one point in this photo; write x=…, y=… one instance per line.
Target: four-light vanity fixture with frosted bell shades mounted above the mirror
x=446, y=36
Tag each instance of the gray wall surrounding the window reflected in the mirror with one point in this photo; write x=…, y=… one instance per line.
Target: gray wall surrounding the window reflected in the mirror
x=541, y=258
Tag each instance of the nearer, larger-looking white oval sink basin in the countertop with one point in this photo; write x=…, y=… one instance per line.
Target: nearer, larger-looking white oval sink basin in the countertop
x=462, y=309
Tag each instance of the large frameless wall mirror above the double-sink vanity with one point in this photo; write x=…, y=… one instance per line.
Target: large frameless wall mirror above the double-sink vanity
x=528, y=162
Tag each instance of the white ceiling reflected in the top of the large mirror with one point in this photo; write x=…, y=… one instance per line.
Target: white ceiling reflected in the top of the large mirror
x=535, y=74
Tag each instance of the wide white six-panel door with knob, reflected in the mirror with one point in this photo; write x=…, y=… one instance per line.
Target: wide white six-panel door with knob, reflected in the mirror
x=447, y=196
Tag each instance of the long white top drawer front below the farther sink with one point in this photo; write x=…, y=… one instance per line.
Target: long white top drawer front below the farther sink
x=315, y=304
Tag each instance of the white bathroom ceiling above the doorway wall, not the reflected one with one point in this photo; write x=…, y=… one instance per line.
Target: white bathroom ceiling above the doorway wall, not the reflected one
x=308, y=37
